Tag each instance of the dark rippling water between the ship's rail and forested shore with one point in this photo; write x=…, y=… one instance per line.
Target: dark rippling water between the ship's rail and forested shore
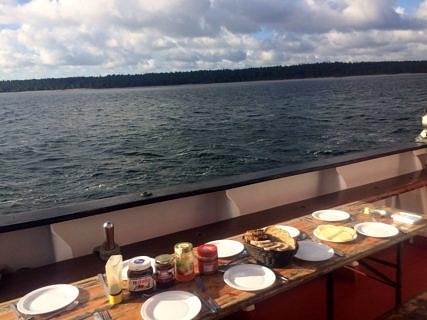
x=60, y=147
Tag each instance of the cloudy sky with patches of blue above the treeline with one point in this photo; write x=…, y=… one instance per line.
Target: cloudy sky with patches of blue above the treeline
x=63, y=38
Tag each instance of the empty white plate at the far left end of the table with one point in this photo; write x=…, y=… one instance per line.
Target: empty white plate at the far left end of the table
x=47, y=299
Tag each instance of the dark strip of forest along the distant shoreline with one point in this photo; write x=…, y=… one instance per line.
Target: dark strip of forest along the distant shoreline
x=316, y=70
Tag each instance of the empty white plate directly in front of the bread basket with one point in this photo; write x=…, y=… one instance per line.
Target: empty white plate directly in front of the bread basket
x=249, y=277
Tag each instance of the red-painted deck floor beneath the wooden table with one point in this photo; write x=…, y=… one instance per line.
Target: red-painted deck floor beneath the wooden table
x=356, y=296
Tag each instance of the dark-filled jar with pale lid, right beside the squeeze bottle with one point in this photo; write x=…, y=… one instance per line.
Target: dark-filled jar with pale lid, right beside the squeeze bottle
x=140, y=276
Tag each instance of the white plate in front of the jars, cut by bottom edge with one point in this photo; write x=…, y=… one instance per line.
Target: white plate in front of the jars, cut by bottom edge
x=179, y=305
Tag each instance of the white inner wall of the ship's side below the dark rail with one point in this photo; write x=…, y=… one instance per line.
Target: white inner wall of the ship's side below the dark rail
x=78, y=237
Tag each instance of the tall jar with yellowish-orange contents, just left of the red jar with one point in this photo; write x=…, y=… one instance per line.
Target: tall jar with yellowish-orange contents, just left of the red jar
x=184, y=261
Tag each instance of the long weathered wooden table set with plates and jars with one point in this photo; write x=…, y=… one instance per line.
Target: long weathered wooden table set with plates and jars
x=92, y=297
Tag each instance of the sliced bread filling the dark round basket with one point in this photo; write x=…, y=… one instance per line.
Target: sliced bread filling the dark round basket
x=270, y=238
